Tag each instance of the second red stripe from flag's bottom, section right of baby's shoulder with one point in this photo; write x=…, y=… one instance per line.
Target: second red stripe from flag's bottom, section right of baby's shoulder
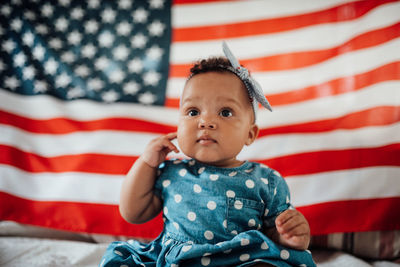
x=333, y=160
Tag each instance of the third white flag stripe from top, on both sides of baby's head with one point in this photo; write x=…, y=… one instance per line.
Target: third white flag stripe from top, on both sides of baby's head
x=348, y=64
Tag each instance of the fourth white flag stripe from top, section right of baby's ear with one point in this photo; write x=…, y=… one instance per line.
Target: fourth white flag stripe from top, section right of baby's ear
x=332, y=107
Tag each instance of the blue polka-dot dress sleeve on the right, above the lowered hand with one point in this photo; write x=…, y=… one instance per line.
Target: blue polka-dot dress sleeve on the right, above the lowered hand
x=278, y=199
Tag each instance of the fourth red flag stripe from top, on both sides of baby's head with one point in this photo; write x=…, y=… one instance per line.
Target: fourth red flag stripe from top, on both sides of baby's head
x=388, y=72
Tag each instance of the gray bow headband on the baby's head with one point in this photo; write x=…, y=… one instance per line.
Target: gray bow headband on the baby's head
x=253, y=87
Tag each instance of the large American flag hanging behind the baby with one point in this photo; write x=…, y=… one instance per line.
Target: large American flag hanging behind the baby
x=85, y=85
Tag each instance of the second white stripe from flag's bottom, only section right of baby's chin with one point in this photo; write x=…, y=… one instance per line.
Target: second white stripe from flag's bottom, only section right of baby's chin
x=281, y=145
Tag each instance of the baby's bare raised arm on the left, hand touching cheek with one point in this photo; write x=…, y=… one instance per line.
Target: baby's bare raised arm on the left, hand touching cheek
x=138, y=203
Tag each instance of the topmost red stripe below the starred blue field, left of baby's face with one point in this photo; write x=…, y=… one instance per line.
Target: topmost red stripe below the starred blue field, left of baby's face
x=64, y=125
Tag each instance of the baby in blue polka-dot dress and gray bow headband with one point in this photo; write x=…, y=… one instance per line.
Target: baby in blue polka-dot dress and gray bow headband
x=218, y=210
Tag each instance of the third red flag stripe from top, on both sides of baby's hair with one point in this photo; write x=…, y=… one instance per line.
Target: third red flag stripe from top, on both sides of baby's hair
x=303, y=59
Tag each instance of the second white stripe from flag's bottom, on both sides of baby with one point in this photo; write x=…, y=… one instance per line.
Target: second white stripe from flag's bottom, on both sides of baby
x=133, y=144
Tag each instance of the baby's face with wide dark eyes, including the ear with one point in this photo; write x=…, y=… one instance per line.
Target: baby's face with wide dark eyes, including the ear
x=216, y=119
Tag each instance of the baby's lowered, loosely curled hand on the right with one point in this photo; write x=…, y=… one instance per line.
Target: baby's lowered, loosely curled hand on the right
x=293, y=229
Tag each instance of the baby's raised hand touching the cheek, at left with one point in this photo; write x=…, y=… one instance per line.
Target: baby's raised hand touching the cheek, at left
x=158, y=149
